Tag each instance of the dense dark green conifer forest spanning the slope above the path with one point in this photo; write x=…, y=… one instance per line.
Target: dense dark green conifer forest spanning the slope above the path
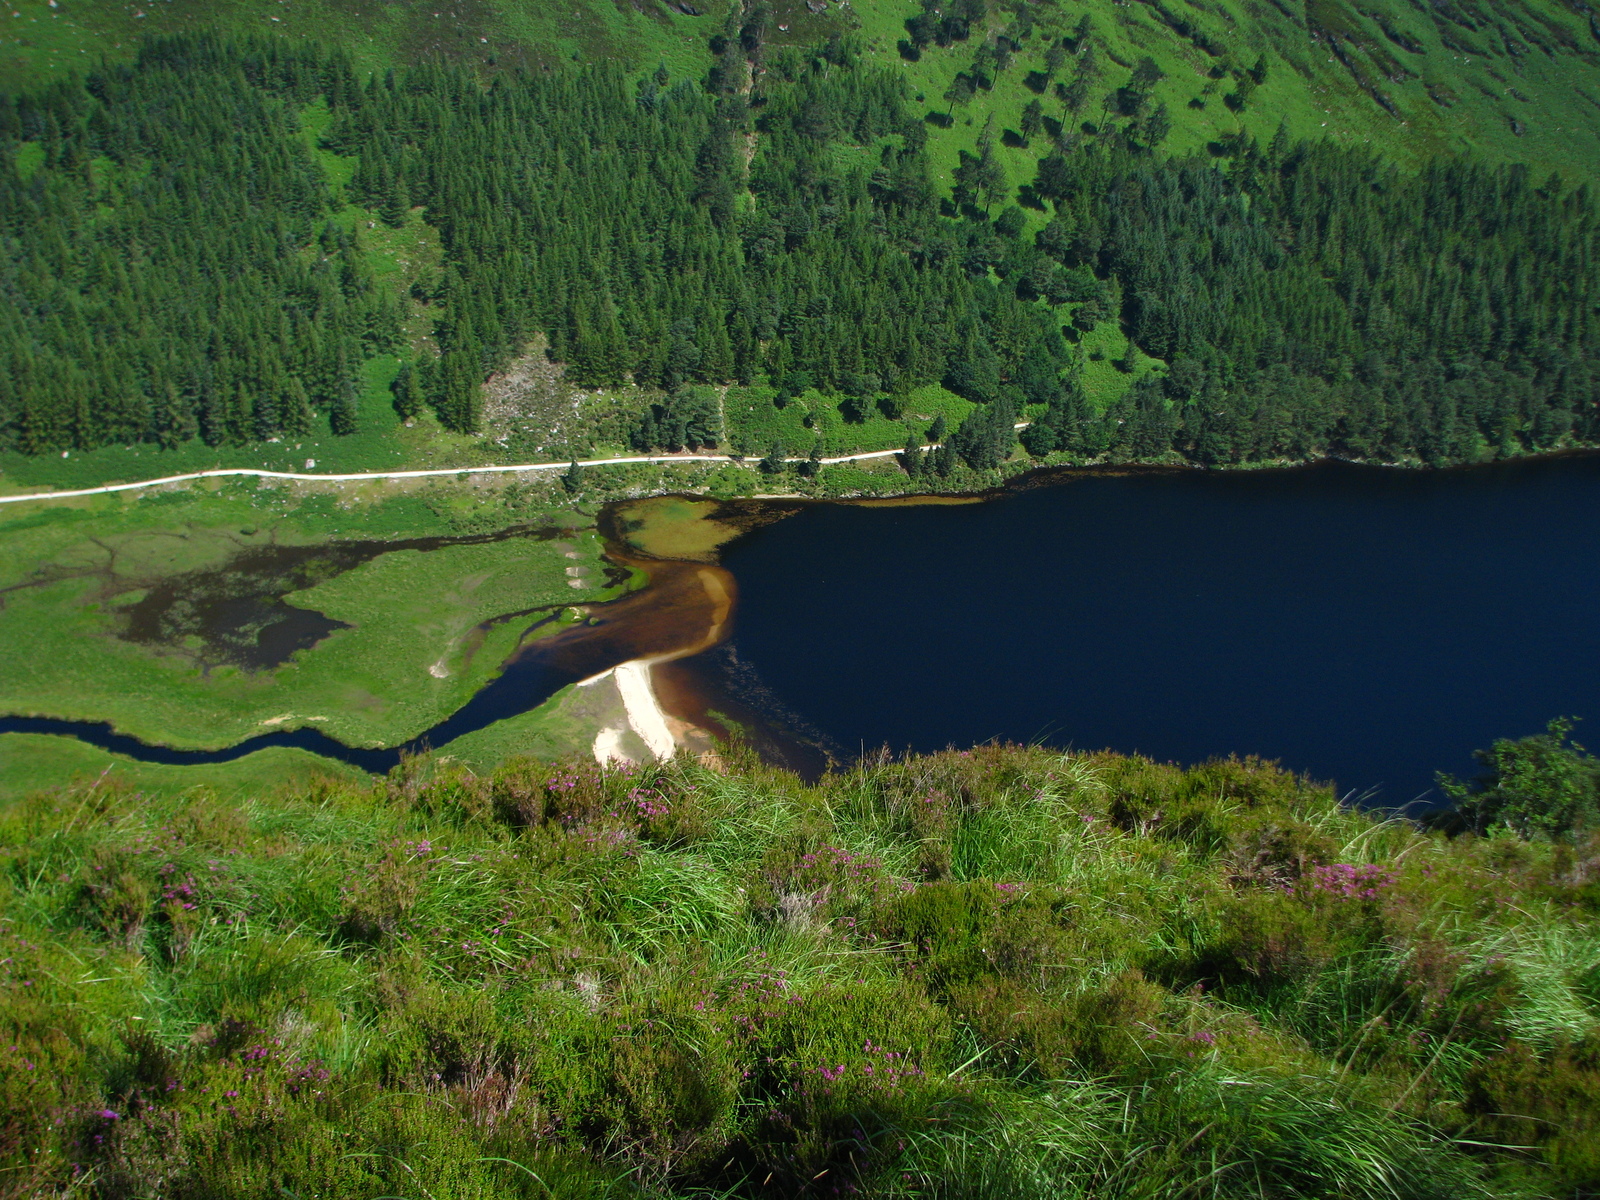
x=172, y=271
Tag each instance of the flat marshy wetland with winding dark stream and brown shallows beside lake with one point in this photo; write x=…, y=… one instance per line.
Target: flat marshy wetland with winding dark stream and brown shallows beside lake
x=225, y=639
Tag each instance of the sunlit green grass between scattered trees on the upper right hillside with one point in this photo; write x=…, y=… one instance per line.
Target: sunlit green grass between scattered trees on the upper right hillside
x=1306, y=89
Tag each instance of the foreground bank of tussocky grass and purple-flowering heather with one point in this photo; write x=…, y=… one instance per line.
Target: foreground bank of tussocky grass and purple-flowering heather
x=990, y=974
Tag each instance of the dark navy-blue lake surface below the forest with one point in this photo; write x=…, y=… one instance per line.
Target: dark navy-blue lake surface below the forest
x=1362, y=625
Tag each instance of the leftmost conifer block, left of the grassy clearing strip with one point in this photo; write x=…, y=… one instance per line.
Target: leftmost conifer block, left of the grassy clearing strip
x=169, y=271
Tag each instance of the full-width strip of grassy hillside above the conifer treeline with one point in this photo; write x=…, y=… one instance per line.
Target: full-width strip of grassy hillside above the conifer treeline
x=1516, y=82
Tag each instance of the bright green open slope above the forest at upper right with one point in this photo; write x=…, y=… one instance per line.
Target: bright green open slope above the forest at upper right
x=1510, y=82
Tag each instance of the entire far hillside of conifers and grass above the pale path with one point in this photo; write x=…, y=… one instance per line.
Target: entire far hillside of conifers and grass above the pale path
x=1132, y=220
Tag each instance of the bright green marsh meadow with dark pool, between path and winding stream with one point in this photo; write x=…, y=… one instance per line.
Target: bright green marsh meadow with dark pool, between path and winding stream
x=132, y=610
